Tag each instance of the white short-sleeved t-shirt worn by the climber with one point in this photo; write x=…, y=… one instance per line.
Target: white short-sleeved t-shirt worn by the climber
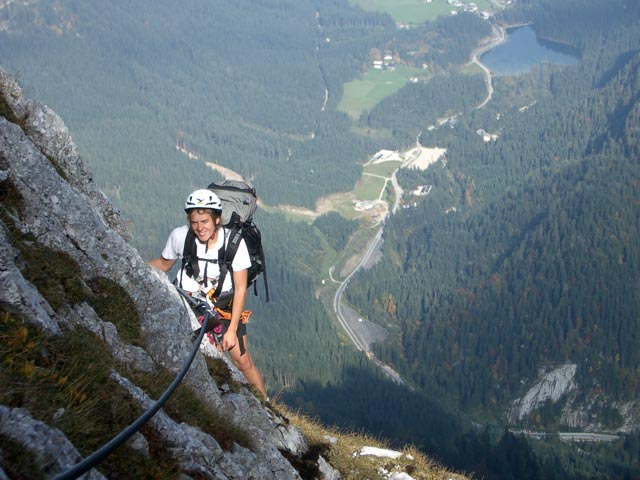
x=175, y=246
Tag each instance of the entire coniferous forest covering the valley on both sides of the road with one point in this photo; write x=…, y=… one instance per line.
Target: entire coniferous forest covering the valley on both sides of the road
x=523, y=257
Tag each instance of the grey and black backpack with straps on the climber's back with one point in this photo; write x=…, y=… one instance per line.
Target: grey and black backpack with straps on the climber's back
x=239, y=203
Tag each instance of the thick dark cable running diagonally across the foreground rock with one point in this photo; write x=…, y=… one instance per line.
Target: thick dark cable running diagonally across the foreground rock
x=100, y=454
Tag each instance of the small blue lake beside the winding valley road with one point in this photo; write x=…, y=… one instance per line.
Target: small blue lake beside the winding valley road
x=523, y=50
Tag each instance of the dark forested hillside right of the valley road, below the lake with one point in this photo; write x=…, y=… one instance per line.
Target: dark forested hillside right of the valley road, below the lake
x=525, y=254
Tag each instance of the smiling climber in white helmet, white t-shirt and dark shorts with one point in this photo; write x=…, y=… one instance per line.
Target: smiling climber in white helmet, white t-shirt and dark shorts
x=200, y=277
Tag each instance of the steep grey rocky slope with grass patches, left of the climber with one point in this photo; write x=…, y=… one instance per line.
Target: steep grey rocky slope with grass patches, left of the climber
x=67, y=368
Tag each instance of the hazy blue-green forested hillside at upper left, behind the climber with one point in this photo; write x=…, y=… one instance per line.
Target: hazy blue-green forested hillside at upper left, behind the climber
x=216, y=79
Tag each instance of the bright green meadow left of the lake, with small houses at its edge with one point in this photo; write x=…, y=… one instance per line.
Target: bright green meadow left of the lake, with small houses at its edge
x=363, y=94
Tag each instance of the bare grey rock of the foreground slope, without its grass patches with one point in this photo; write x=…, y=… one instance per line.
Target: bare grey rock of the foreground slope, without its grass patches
x=63, y=209
